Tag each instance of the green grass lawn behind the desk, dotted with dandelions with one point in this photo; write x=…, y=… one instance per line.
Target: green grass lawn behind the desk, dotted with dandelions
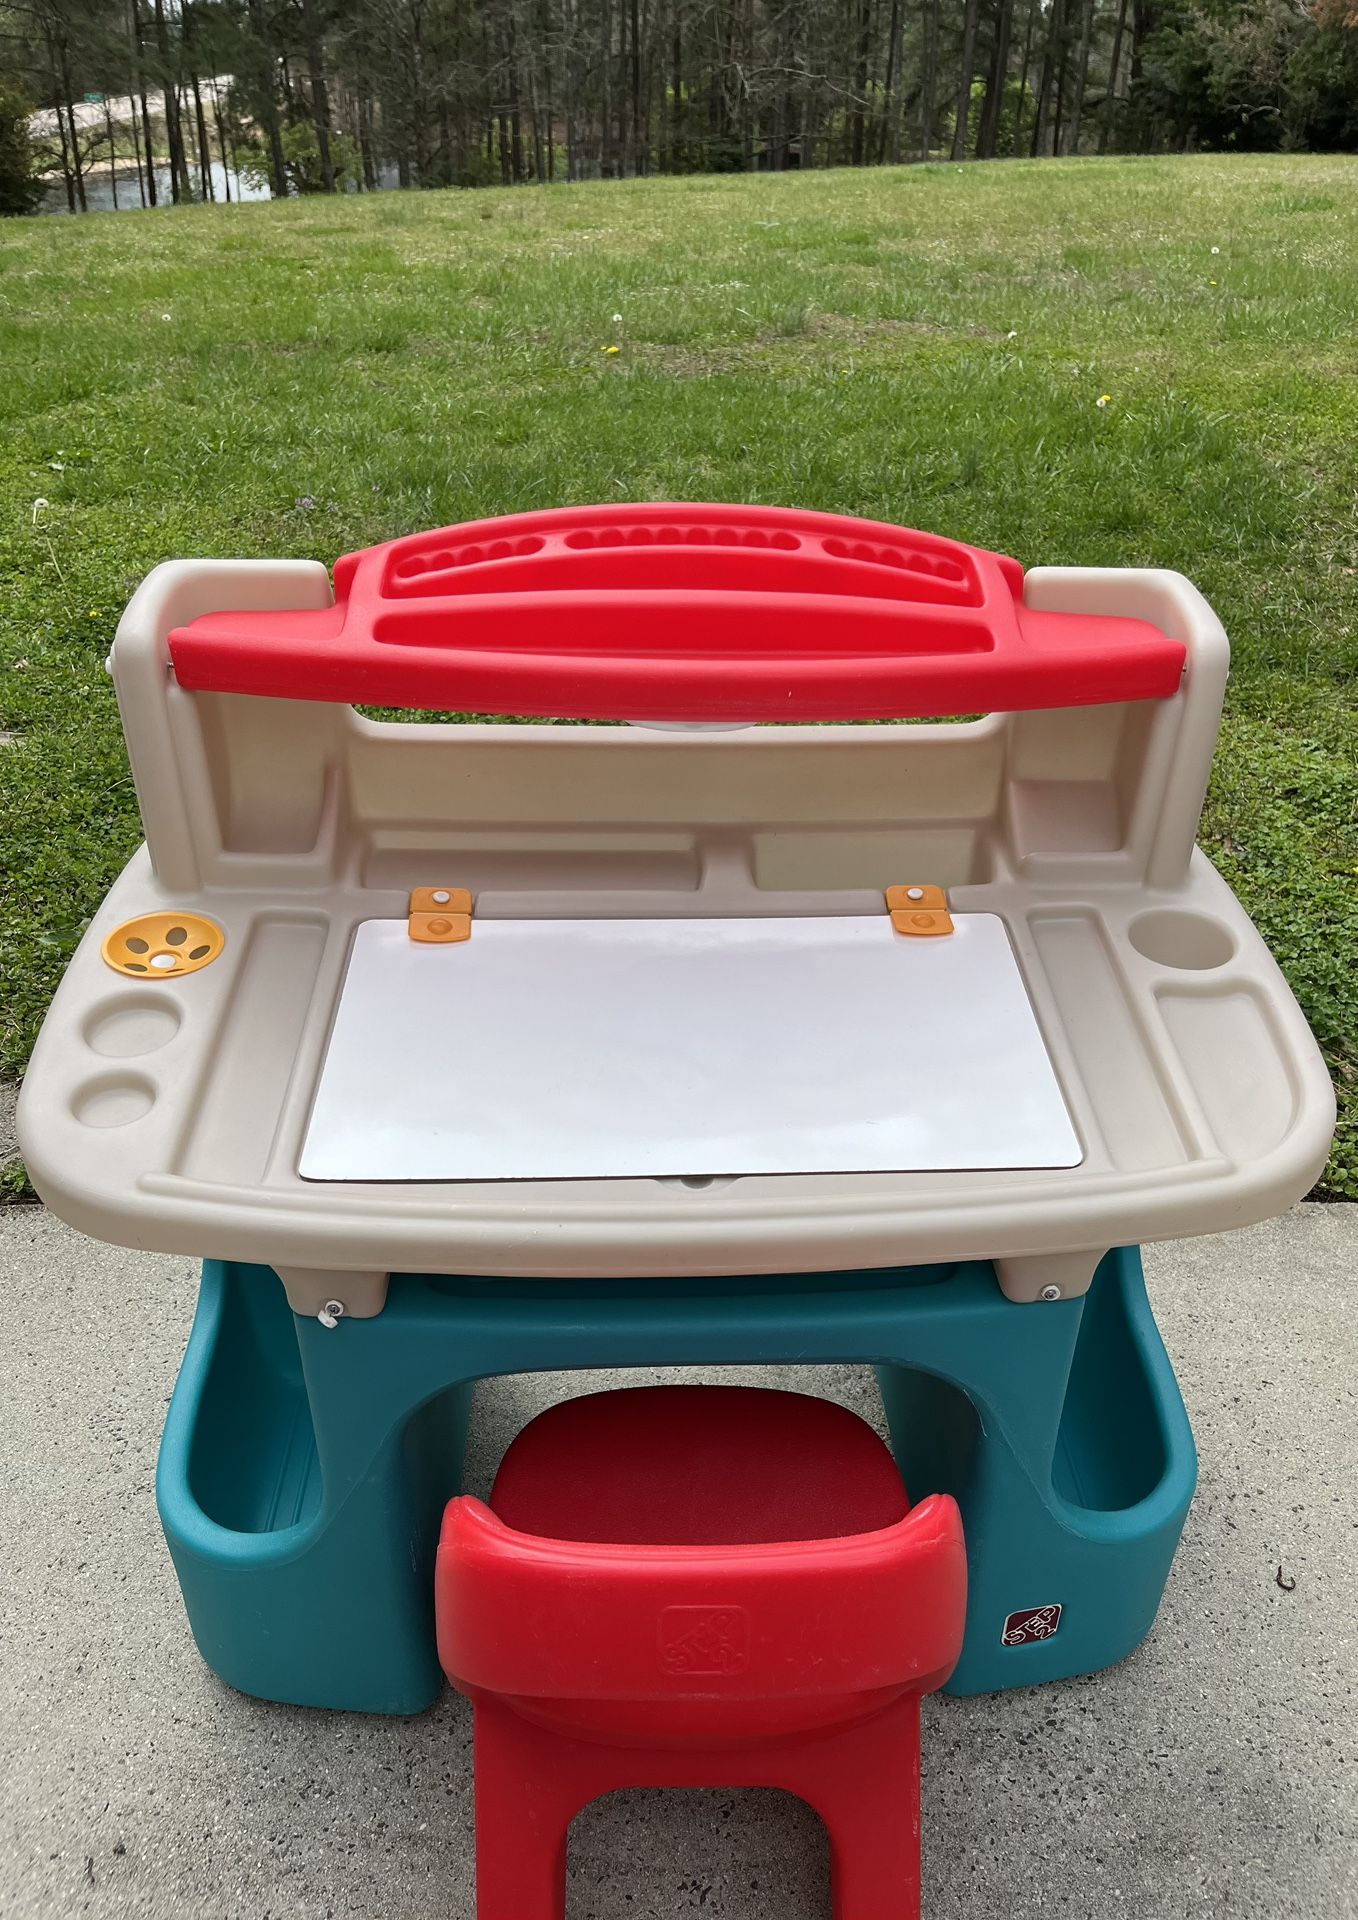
x=923, y=347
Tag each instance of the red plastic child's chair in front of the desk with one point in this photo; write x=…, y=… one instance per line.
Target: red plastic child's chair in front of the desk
x=698, y=1587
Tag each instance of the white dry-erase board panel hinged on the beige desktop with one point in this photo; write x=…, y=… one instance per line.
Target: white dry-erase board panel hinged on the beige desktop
x=608, y=1049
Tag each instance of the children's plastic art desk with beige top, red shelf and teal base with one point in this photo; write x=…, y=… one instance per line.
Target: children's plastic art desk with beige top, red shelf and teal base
x=525, y=1047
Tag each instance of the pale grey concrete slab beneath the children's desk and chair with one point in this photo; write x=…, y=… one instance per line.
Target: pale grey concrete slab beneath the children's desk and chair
x=1211, y=1775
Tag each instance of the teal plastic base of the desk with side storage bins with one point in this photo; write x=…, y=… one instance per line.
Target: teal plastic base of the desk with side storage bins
x=304, y=1470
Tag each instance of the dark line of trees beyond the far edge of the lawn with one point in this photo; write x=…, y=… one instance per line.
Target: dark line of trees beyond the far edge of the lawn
x=337, y=95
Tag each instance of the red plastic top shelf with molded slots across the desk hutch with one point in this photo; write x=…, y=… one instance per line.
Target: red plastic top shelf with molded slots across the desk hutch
x=681, y=613
